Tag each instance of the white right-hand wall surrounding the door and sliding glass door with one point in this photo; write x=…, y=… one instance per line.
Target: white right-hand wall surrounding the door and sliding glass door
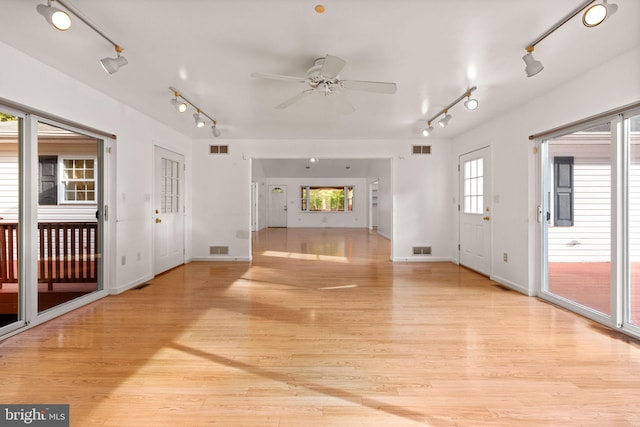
x=515, y=230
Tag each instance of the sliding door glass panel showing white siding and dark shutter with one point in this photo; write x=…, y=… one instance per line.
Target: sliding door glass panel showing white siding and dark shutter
x=579, y=218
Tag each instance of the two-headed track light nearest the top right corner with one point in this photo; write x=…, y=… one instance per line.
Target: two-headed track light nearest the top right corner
x=594, y=15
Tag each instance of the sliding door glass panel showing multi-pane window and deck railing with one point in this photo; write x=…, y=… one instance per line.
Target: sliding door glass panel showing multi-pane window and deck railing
x=68, y=199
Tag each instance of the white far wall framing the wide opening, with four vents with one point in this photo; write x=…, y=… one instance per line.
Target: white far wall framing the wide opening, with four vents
x=420, y=214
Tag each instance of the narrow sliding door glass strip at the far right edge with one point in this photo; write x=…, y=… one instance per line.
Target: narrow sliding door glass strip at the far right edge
x=633, y=293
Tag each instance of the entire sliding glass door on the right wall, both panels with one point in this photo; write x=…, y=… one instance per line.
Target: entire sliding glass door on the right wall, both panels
x=590, y=217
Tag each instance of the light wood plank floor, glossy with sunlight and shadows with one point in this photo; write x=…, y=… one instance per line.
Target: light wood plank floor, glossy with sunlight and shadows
x=321, y=329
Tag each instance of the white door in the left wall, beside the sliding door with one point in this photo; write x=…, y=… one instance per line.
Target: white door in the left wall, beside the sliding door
x=168, y=215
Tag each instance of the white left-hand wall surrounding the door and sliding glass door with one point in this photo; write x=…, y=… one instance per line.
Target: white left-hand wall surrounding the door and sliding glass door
x=25, y=81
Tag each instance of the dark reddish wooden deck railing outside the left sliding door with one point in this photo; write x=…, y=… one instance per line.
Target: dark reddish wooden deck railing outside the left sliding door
x=66, y=252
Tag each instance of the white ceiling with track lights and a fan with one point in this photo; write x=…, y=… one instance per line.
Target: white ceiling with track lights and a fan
x=433, y=49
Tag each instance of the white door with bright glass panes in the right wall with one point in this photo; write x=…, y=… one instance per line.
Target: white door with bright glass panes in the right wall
x=475, y=210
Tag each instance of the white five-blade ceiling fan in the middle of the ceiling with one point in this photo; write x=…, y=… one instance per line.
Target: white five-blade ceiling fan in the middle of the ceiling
x=323, y=79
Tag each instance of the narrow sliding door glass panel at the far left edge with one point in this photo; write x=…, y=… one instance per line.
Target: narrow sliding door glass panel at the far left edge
x=10, y=286
